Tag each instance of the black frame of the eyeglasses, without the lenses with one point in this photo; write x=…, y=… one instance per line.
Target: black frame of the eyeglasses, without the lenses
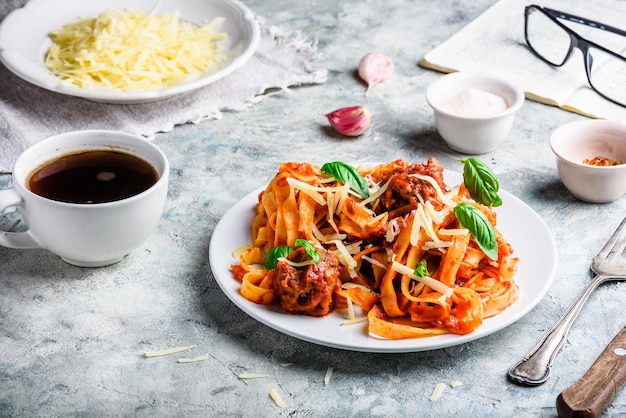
x=576, y=41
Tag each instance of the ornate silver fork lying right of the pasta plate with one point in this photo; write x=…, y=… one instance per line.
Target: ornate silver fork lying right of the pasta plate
x=609, y=264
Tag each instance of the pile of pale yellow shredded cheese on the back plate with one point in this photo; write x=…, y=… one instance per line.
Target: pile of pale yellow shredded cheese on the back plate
x=133, y=51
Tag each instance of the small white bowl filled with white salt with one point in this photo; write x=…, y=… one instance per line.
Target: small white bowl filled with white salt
x=473, y=112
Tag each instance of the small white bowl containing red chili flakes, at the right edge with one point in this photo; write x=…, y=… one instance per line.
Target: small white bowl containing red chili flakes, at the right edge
x=574, y=142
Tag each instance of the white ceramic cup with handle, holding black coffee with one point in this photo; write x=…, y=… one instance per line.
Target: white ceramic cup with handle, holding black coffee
x=87, y=235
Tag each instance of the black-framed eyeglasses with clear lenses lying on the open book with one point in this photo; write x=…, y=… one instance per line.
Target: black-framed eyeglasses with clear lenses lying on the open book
x=554, y=42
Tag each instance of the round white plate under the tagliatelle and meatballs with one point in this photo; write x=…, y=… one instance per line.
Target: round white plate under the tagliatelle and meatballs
x=530, y=238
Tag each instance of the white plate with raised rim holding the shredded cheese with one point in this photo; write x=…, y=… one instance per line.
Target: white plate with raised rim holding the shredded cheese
x=24, y=40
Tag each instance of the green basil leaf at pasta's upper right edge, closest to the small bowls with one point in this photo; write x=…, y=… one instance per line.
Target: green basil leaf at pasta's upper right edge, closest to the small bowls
x=481, y=182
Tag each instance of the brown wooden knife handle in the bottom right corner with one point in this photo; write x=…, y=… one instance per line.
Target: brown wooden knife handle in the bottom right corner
x=590, y=396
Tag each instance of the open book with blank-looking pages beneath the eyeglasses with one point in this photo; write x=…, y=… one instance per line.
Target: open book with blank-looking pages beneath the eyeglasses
x=494, y=44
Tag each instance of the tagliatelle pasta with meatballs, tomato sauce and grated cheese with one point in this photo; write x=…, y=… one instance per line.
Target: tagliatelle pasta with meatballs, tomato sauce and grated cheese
x=399, y=252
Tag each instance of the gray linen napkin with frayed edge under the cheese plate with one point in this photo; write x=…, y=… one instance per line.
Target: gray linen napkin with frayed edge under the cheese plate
x=29, y=114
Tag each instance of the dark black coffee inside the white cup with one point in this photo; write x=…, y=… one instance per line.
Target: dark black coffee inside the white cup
x=94, y=176
